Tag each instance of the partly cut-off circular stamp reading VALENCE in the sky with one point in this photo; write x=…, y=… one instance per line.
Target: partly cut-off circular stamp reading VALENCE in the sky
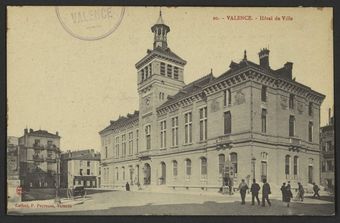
x=90, y=23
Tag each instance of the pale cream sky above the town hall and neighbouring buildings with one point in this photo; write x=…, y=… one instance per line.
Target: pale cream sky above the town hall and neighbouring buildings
x=57, y=82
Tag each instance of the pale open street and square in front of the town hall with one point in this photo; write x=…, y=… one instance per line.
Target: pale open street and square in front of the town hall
x=151, y=203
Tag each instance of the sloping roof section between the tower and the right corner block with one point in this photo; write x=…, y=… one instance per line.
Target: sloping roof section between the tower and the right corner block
x=189, y=89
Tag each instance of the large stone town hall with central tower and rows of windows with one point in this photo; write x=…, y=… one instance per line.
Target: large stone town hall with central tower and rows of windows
x=250, y=122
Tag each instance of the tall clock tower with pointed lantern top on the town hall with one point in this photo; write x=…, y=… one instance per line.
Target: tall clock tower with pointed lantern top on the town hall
x=160, y=74
